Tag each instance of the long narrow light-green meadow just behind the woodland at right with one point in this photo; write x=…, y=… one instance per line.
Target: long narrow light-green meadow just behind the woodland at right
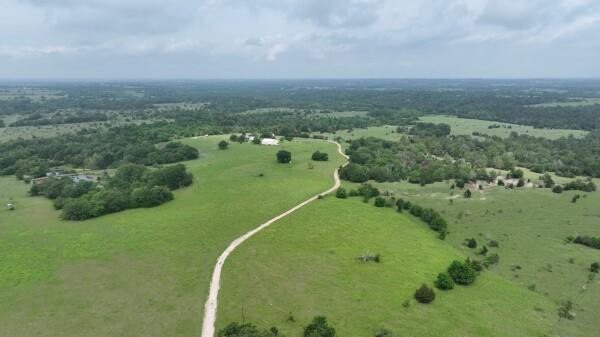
x=466, y=126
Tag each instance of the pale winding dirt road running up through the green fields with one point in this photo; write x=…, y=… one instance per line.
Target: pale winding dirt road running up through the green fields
x=210, y=309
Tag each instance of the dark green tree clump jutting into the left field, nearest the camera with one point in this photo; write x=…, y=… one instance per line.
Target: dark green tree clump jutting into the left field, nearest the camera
x=132, y=186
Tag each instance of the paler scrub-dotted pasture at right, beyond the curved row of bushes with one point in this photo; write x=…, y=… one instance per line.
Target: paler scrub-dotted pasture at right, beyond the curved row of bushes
x=531, y=225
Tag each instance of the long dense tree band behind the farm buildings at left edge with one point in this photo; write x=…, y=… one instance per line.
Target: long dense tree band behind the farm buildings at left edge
x=96, y=149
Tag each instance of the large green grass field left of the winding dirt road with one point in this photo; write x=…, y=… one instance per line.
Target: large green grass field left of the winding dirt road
x=143, y=272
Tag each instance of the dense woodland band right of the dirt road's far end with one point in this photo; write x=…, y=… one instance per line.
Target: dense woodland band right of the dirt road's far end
x=426, y=160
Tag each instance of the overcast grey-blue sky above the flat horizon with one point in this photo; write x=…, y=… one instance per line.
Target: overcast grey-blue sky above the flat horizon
x=299, y=38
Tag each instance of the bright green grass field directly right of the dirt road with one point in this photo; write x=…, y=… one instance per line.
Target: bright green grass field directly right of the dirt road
x=306, y=265
